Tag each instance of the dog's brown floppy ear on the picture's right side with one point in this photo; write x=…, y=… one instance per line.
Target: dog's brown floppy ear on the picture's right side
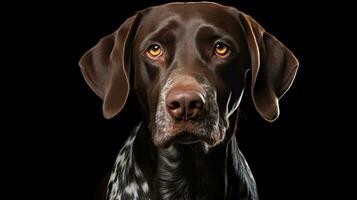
x=273, y=68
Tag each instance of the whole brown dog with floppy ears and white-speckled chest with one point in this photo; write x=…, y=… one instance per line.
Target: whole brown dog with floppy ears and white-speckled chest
x=187, y=64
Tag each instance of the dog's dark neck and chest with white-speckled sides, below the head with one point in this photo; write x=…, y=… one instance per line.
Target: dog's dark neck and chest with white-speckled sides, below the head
x=180, y=171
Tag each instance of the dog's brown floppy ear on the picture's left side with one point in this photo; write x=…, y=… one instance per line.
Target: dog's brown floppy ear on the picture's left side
x=106, y=67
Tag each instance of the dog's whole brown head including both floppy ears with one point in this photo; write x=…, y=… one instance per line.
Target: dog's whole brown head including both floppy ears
x=189, y=62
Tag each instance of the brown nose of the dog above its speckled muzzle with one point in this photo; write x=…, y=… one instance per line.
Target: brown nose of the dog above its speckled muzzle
x=184, y=104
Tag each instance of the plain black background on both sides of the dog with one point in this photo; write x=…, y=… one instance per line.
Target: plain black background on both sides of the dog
x=61, y=146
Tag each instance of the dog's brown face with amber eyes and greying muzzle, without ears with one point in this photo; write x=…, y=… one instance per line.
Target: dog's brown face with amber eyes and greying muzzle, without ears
x=188, y=62
